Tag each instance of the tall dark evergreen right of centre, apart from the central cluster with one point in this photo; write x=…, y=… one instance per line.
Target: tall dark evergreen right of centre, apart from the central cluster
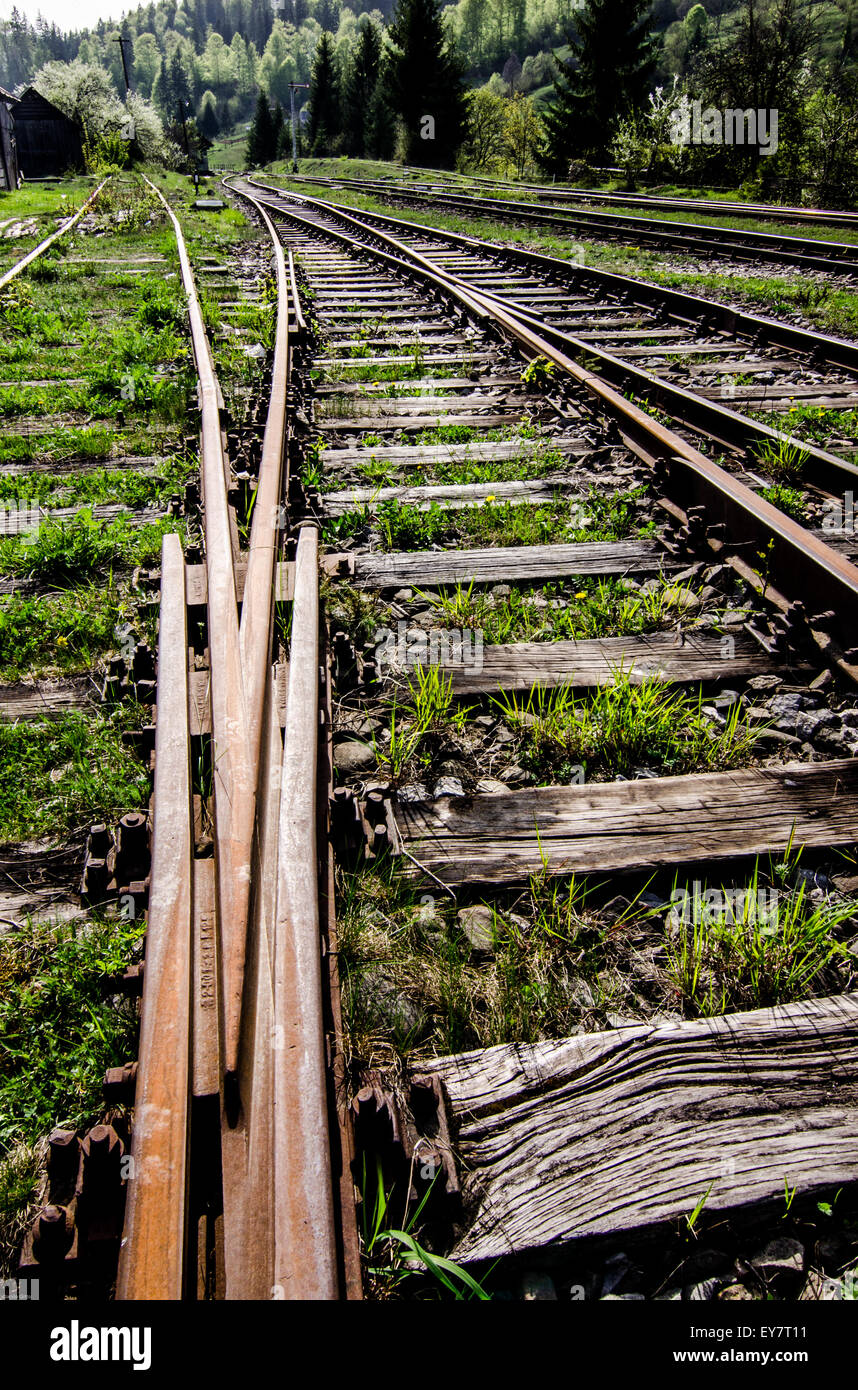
x=615, y=51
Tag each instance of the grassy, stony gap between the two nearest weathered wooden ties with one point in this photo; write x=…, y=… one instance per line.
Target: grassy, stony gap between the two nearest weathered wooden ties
x=426, y=975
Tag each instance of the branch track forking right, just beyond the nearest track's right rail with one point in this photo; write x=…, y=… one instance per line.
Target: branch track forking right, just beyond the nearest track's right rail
x=700, y=362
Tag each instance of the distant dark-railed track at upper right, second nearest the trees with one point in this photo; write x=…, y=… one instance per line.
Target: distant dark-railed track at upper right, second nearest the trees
x=697, y=238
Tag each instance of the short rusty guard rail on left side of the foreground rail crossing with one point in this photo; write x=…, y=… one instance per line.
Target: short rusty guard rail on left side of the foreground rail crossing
x=154, y=1253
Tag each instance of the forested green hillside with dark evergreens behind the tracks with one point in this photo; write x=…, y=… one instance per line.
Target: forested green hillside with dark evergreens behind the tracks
x=511, y=87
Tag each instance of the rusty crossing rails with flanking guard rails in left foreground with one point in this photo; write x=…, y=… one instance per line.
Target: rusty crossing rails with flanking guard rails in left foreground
x=282, y=1229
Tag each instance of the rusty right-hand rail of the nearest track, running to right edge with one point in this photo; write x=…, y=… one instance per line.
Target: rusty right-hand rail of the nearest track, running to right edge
x=802, y=566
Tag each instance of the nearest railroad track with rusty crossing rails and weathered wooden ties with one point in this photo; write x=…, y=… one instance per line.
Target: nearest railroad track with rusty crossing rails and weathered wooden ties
x=465, y=450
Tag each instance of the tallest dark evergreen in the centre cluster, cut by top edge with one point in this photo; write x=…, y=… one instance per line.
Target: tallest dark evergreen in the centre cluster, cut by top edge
x=426, y=84
